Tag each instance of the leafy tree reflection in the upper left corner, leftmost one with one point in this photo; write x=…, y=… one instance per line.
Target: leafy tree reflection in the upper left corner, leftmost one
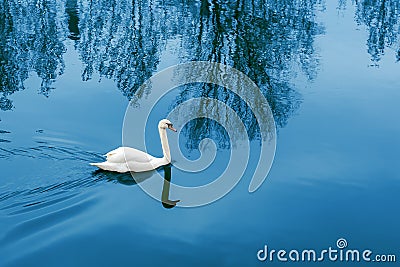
x=31, y=41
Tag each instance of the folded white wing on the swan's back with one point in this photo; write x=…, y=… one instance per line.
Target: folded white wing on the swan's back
x=126, y=154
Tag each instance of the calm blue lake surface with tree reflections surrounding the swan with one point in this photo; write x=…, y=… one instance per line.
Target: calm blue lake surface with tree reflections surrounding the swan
x=68, y=69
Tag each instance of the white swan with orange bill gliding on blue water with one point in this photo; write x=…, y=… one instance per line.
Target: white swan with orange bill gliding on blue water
x=125, y=159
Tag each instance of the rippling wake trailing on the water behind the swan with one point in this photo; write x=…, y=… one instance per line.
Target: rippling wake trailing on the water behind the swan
x=71, y=180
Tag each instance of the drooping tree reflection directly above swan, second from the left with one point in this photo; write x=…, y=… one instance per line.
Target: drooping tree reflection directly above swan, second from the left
x=121, y=40
